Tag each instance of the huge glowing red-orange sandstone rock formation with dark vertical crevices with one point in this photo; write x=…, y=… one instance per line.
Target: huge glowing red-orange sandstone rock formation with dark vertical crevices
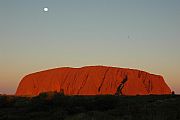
x=93, y=80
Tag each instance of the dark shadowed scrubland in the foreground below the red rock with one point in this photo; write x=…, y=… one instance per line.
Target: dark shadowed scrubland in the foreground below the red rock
x=57, y=106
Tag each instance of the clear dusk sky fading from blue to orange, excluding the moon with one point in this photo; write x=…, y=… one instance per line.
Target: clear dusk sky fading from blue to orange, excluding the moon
x=138, y=34
